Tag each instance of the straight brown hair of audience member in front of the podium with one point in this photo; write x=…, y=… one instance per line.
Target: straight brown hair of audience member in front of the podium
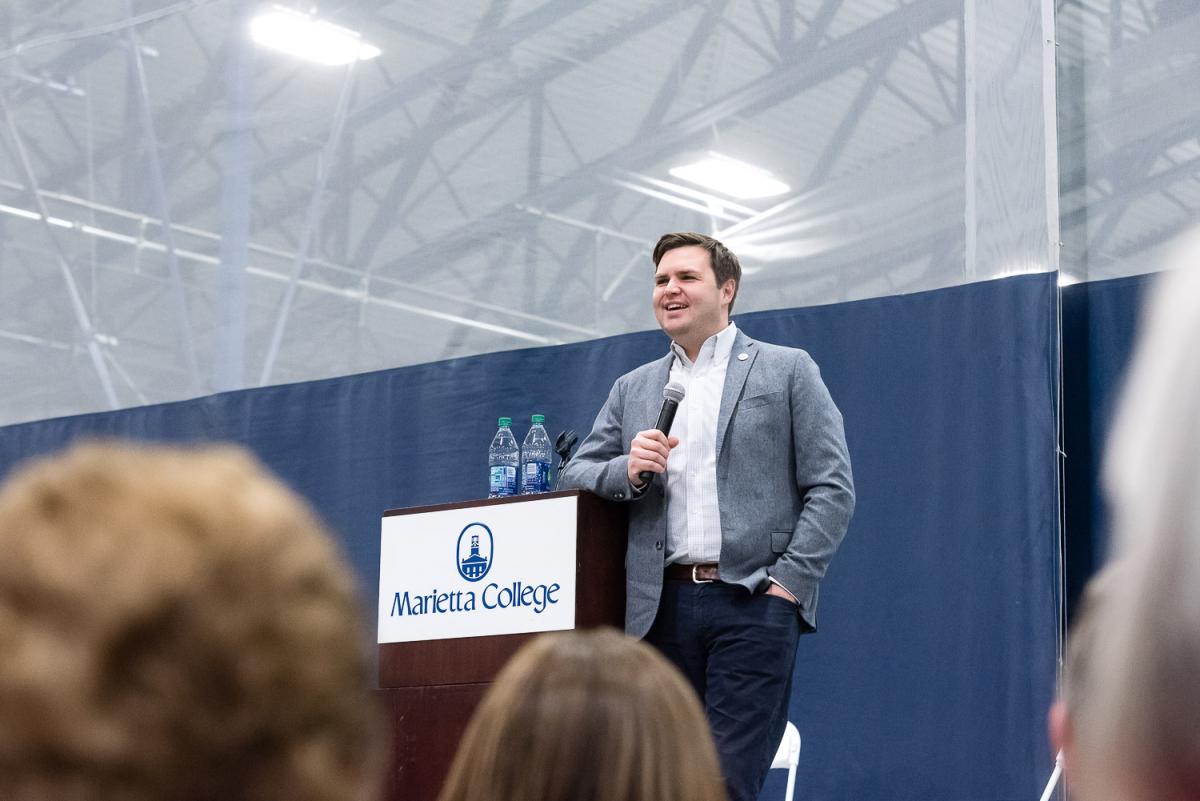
x=587, y=716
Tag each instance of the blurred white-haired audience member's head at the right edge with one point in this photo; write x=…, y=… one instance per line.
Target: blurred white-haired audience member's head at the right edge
x=1139, y=726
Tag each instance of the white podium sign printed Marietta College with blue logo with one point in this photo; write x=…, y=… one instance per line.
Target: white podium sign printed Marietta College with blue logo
x=505, y=569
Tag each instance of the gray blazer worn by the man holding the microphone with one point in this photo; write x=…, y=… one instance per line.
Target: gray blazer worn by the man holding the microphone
x=783, y=475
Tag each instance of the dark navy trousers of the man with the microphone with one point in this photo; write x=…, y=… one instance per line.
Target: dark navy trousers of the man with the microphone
x=737, y=651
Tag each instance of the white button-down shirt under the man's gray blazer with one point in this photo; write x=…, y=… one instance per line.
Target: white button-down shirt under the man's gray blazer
x=694, y=519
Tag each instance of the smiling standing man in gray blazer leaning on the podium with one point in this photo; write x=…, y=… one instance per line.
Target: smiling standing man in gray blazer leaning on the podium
x=747, y=501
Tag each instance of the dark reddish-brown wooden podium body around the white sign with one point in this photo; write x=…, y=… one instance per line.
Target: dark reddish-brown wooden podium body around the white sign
x=430, y=689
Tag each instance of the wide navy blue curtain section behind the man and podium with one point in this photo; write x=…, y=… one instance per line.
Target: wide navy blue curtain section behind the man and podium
x=935, y=663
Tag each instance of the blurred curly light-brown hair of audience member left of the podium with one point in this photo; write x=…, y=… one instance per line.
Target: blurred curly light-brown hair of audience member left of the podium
x=176, y=625
